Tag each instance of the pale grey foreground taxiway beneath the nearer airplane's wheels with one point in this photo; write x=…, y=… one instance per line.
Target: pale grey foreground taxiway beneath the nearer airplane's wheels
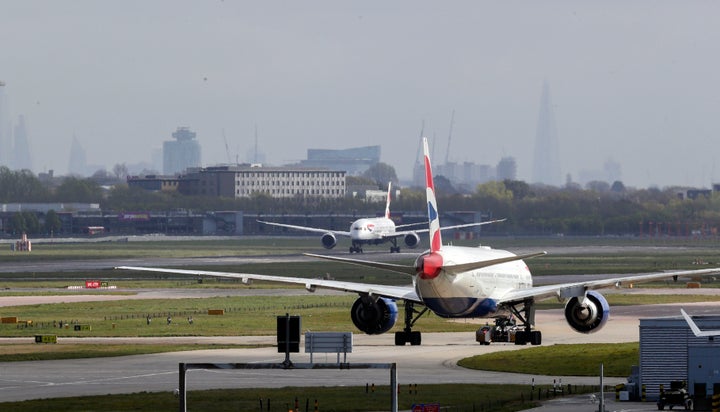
x=433, y=362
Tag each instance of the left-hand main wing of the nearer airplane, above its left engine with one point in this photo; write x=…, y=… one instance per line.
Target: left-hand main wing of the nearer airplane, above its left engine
x=394, y=292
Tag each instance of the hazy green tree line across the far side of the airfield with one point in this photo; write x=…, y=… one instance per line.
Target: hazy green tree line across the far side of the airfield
x=598, y=208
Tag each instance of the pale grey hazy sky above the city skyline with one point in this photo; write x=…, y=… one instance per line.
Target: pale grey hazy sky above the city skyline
x=637, y=82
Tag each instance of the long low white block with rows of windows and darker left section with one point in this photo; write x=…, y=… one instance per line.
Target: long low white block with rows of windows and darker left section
x=278, y=182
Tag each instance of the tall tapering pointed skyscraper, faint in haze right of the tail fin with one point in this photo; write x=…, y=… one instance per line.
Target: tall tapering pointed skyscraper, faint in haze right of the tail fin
x=546, y=168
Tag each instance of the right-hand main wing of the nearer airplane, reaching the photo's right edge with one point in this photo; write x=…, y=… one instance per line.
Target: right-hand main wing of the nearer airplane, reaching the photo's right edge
x=568, y=290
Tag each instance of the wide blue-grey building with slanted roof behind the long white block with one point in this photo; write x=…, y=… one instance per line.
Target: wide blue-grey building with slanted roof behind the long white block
x=354, y=161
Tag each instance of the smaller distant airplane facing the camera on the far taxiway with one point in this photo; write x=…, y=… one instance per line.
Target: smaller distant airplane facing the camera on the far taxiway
x=373, y=231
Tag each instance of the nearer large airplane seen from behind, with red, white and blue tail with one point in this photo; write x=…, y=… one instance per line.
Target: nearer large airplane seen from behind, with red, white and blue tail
x=459, y=282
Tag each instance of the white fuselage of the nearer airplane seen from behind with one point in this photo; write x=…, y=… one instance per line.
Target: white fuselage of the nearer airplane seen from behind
x=471, y=293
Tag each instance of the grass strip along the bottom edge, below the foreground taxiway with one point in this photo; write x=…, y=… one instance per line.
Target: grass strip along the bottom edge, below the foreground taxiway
x=455, y=397
